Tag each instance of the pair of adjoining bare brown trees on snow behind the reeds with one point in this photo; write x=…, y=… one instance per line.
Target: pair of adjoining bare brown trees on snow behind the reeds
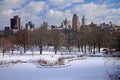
x=43, y=37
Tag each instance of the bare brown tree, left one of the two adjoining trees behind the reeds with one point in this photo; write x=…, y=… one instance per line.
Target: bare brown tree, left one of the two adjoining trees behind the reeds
x=39, y=38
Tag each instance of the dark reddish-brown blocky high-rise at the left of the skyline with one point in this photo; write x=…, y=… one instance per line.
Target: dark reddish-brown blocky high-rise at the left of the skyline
x=15, y=22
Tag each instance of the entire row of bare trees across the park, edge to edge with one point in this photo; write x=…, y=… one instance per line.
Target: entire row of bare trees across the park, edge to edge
x=83, y=40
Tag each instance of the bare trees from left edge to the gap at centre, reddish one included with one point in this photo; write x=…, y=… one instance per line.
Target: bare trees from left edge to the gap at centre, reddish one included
x=37, y=38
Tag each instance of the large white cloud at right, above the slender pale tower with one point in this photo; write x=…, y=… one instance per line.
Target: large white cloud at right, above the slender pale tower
x=97, y=13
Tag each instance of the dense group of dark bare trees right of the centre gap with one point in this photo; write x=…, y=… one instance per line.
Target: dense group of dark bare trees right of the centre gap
x=95, y=39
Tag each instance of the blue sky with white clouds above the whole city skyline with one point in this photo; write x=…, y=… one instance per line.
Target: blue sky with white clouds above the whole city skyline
x=55, y=11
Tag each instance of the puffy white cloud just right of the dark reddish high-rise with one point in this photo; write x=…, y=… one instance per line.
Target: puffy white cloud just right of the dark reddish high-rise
x=31, y=11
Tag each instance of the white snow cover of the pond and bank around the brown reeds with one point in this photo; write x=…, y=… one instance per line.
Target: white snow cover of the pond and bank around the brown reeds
x=90, y=68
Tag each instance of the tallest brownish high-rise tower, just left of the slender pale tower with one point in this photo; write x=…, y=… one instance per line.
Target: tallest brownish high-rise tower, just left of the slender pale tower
x=75, y=23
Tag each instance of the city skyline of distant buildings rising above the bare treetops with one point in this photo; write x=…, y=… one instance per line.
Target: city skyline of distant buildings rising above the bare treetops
x=75, y=25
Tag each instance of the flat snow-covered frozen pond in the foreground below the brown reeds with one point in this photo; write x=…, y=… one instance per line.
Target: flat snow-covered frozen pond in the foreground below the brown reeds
x=92, y=68
